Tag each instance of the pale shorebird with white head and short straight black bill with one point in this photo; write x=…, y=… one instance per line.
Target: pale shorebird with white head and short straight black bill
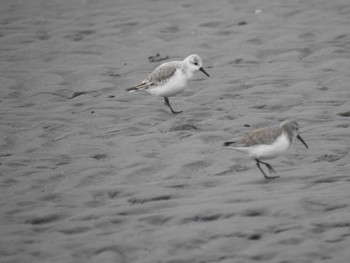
x=170, y=78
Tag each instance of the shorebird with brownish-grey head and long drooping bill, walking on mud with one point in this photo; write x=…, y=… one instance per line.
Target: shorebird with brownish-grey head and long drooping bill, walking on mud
x=267, y=143
